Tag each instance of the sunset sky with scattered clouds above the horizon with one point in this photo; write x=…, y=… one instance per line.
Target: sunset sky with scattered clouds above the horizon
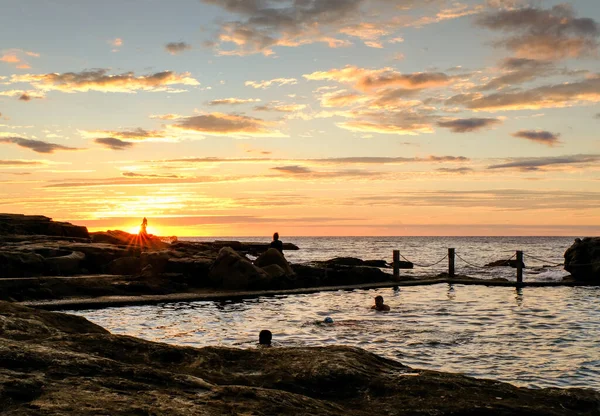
x=306, y=117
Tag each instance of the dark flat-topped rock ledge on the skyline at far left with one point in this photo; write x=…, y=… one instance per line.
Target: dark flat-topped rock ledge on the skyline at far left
x=19, y=224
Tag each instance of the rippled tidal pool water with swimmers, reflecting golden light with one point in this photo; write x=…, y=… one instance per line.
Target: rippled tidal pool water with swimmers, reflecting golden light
x=551, y=340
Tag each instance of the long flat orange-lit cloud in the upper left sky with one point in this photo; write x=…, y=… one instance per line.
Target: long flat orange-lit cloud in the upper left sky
x=100, y=80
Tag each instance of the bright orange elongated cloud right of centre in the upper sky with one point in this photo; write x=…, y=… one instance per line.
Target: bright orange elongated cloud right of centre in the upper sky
x=367, y=79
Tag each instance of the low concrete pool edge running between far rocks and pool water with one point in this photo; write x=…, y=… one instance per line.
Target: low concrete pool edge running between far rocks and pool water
x=102, y=302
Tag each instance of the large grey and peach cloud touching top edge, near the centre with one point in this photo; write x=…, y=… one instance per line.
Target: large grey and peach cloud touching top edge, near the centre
x=259, y=26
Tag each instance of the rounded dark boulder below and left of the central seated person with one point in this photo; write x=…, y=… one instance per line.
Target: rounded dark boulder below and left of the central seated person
x=232, y=271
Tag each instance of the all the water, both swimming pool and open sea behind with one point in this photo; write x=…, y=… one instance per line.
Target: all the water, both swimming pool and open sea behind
x=535, y=337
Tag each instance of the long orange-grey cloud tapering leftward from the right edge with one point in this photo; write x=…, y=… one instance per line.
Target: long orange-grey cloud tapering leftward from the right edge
x=548, y=96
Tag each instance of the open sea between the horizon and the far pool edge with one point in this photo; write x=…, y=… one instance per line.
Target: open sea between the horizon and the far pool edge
x=543, y=256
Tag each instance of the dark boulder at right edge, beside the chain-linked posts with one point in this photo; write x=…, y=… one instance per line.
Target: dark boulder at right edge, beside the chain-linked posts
x=582, y=259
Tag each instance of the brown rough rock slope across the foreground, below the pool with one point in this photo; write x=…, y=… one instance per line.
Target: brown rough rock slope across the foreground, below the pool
x=53, y=363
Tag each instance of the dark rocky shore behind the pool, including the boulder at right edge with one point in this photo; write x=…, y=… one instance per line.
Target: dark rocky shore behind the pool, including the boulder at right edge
x=43, y=260
